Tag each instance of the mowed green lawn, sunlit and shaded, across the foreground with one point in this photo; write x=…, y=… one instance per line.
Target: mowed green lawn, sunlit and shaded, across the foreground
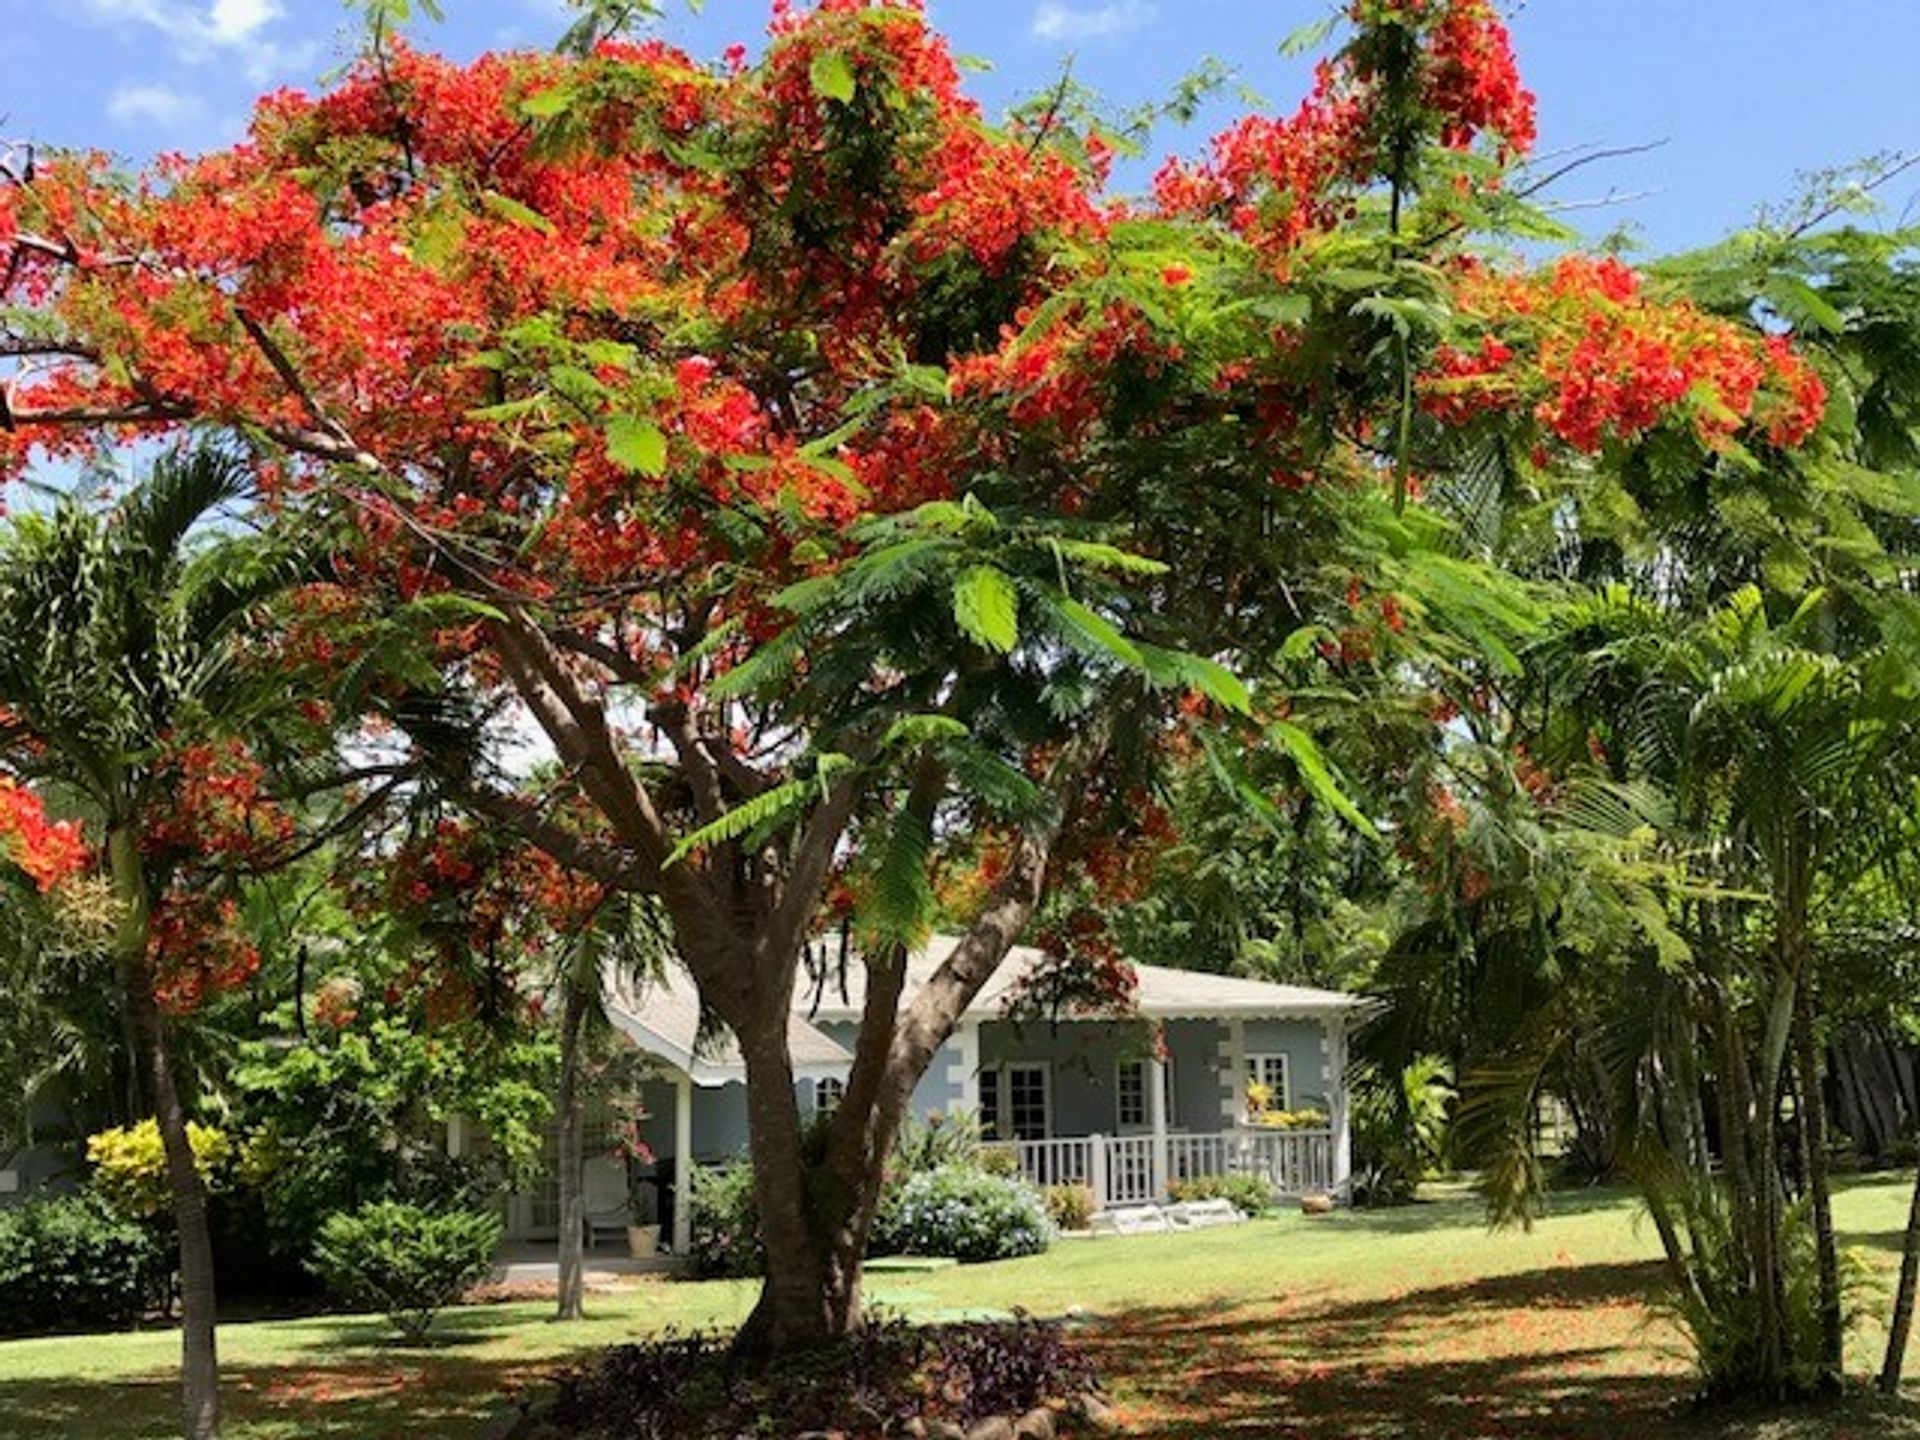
x=1356, y=1326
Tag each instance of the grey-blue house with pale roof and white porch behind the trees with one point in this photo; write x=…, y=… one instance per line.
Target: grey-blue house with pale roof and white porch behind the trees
x=1251, y=1080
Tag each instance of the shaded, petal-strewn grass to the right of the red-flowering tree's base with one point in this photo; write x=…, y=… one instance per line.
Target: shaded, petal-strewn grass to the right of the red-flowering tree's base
x=1548, y=1355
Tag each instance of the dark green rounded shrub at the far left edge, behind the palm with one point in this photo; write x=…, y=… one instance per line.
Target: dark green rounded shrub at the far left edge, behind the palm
x=76, y=1264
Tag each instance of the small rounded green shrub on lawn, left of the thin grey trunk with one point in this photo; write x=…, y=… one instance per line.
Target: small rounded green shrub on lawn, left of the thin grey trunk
x=406, y=1262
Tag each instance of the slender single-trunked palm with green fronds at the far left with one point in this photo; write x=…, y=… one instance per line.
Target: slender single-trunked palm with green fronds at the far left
x=124, y=629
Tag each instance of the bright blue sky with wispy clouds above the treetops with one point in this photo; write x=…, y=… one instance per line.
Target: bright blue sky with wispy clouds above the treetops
x=1742, y=93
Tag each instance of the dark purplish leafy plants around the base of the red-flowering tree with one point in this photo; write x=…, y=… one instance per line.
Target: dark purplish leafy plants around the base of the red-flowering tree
x=688, y=1387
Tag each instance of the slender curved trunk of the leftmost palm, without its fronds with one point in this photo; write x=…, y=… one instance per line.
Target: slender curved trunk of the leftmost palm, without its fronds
x=201, y=1380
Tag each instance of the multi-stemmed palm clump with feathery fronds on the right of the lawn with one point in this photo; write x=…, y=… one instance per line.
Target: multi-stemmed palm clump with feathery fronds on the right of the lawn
x=1781, y=752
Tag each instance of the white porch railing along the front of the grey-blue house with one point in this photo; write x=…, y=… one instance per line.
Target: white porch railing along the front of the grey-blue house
x=1124, y=1170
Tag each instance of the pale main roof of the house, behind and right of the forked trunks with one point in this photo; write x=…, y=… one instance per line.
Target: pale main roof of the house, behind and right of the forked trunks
x=1163, y=994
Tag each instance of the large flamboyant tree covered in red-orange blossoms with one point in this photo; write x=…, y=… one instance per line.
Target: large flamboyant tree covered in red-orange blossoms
x=836, y=479
